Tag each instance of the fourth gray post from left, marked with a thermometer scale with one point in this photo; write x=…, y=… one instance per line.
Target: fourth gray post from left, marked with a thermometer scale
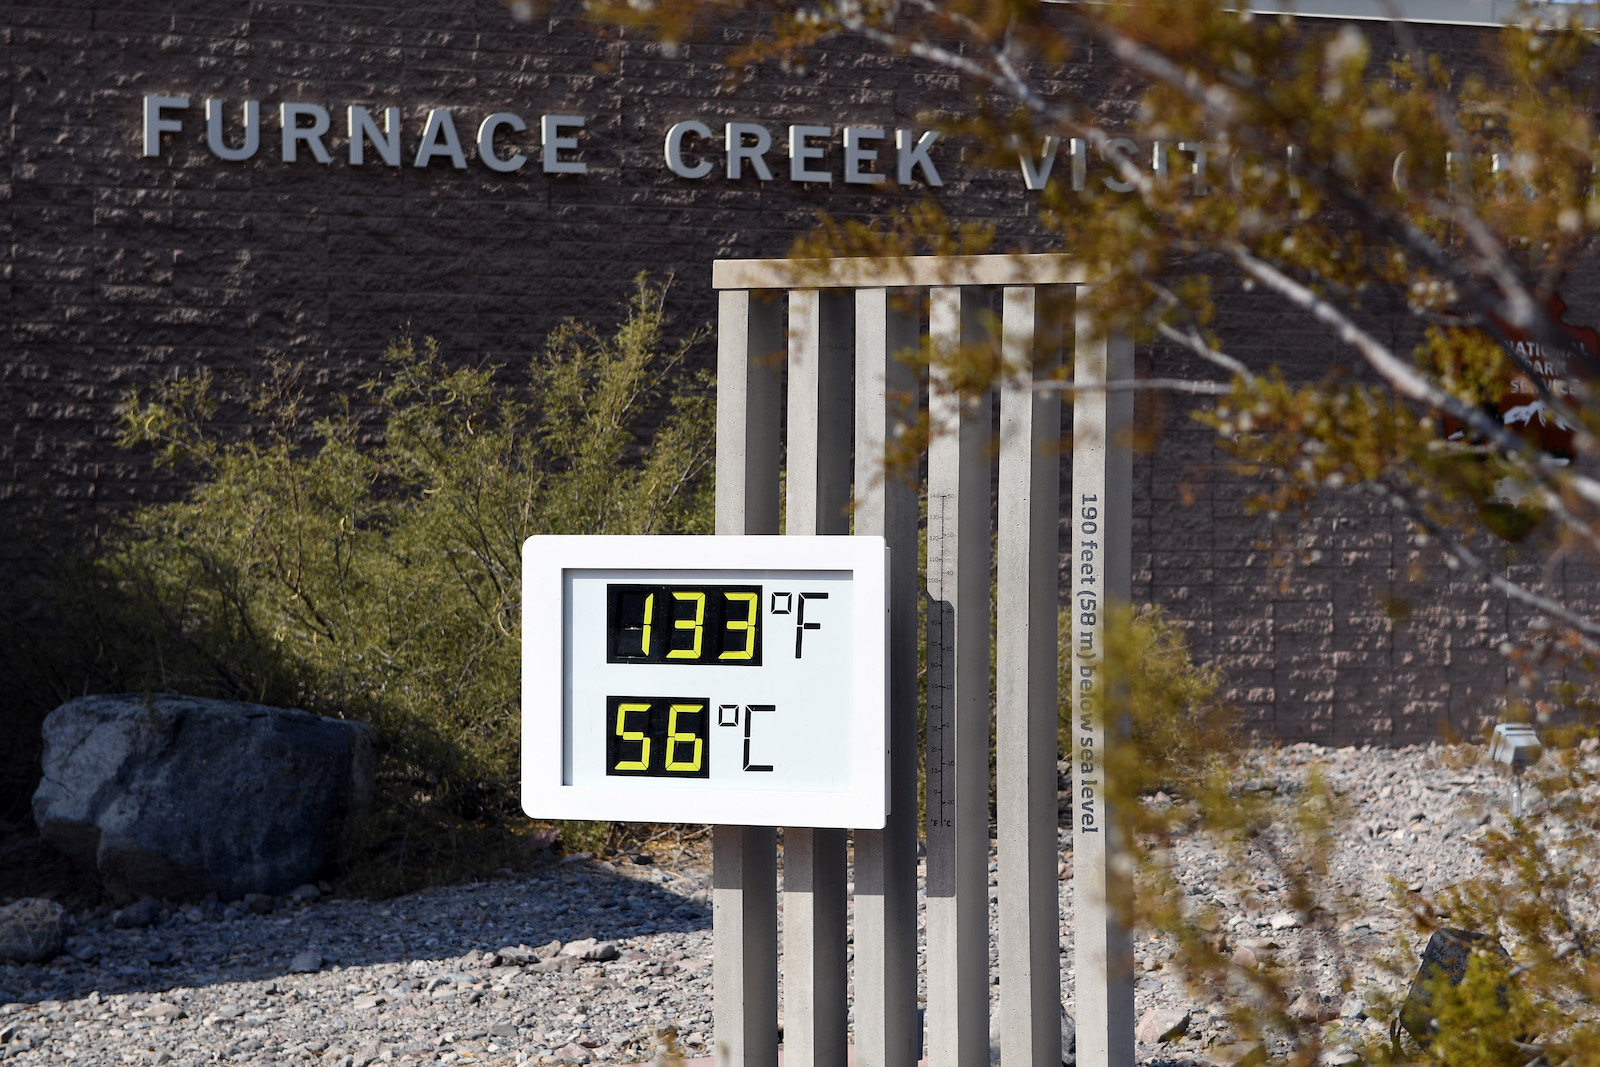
x=958, y=764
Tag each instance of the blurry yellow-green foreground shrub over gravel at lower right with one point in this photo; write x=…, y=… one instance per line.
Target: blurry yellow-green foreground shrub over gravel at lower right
x=1534, y=893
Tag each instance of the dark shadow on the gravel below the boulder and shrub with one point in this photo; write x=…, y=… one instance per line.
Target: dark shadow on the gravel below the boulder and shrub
x=201, y=946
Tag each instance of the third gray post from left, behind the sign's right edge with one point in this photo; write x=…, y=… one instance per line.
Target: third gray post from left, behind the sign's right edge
x=887, y=860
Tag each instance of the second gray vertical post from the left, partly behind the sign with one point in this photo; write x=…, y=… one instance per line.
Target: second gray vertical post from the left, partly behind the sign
x=818, y=490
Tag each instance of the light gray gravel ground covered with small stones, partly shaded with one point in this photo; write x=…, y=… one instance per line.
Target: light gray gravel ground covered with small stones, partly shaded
x=497, y=972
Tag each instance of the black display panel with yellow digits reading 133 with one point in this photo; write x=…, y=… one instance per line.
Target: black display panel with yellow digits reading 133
x=684, y=625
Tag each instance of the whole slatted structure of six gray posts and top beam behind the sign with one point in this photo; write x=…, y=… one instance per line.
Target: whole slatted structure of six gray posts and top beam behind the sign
x=844, y=330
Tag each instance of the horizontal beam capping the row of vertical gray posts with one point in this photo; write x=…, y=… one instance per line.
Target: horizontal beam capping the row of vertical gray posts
x=906, y=271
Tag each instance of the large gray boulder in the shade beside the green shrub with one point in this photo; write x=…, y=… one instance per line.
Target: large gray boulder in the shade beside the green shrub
x=178, y=797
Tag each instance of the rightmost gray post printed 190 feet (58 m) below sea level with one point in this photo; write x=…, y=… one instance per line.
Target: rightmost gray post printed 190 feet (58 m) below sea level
x=1100, y=575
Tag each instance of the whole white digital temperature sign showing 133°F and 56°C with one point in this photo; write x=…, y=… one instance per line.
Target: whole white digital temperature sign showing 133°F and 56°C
x=735, y=681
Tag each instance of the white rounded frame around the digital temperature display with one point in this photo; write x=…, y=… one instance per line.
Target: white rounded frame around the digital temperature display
x=546, y=692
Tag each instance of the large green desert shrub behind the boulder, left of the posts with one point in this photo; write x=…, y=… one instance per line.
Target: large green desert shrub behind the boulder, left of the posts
x=369, y=565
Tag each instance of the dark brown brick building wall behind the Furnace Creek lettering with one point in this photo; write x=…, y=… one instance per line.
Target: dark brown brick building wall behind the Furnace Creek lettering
x=122, y=270
